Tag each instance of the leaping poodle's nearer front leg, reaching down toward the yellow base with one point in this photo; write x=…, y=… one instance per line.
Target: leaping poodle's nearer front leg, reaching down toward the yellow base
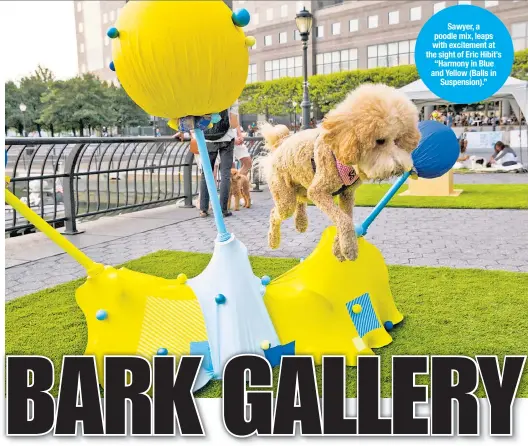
x=323, y=199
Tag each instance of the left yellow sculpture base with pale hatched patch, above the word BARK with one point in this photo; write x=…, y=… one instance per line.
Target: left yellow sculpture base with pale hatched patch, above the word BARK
x=144, y=313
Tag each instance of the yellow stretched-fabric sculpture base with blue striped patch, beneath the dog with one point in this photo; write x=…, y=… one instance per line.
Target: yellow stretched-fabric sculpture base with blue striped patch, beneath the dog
x=308, y=304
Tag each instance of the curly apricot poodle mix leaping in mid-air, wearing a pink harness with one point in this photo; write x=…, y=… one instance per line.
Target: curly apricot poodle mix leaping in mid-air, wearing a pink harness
x=369, y=136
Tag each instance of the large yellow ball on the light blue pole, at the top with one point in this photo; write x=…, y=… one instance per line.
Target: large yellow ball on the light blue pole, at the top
x=180, y=58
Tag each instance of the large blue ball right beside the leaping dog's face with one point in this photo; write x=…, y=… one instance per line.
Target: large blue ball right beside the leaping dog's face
x=437, y=151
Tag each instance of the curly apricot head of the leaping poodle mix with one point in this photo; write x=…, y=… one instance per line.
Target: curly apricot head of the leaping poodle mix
x=375, y=129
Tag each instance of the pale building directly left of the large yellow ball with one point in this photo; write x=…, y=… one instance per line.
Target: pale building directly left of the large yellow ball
x=94, y=52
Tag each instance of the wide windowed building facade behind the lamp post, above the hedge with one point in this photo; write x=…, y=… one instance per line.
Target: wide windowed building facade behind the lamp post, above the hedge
x=353, y=34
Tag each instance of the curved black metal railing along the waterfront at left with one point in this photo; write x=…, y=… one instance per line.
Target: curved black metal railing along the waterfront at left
x=65, y=180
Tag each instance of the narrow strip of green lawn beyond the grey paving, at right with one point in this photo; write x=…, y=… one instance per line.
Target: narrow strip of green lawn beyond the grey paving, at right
x=475, y=196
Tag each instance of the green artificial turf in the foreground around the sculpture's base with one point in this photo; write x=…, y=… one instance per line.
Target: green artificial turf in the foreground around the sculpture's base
x=447, y=312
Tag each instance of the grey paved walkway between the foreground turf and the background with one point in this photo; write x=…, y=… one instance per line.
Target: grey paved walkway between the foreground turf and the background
x=487, y=239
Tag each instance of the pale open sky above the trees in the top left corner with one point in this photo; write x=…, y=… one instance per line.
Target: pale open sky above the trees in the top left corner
x=37, y=32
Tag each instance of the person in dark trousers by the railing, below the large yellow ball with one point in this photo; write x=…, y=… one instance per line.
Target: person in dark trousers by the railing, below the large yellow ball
x=220, y=139
